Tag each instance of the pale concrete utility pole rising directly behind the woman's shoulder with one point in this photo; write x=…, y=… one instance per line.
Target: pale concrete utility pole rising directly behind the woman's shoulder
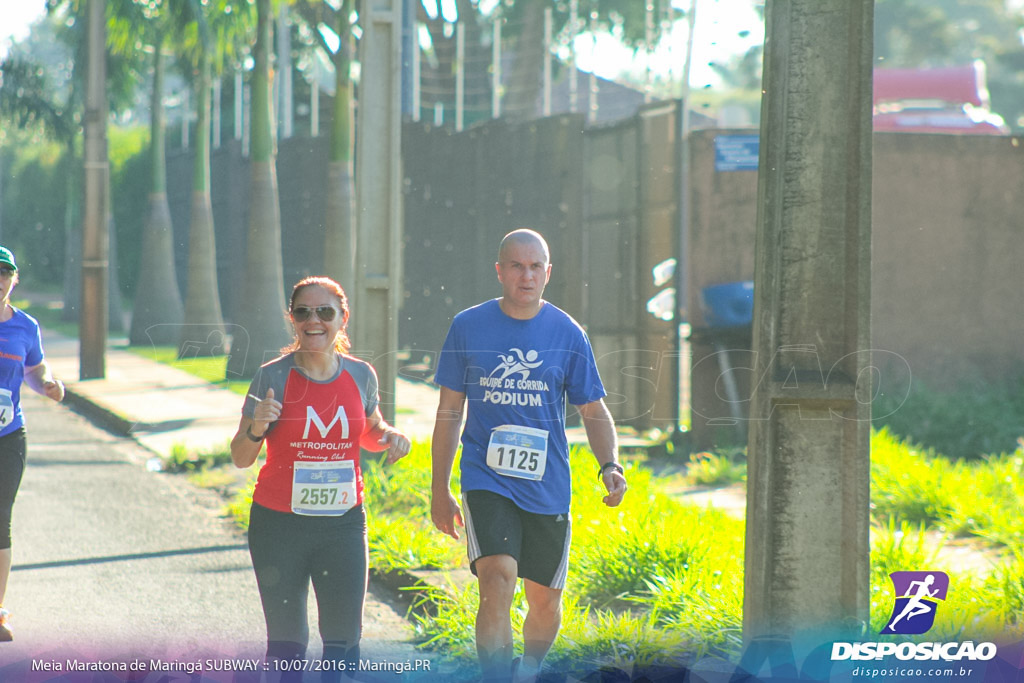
x=378, y=180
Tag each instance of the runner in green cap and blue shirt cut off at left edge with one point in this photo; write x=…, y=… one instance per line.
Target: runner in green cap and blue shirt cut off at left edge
x=21, y=360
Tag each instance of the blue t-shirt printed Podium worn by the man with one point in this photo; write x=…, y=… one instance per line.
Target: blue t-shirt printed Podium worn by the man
x=519, y=374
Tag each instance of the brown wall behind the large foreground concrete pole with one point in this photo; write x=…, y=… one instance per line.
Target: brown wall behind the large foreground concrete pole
x=949, y=247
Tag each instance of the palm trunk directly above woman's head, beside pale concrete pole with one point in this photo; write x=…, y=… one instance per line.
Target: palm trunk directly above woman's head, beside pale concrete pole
x=339, y=248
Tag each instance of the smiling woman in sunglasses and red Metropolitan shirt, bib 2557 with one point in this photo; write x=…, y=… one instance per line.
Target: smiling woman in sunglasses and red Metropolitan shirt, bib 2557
x=315, y=407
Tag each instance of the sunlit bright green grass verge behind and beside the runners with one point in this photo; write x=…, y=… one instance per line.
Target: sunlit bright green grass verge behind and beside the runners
x=657, y=581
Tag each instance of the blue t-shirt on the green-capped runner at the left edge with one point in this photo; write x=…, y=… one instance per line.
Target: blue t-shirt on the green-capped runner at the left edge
x=21, y=348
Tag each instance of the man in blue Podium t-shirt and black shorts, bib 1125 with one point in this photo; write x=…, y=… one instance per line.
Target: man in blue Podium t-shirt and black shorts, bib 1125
x=510, y=365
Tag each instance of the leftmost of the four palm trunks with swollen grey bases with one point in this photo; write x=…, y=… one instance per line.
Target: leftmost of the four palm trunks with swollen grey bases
x=158, y=312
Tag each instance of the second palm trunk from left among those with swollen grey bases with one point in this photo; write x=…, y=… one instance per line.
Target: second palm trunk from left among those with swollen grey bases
x=203, y=333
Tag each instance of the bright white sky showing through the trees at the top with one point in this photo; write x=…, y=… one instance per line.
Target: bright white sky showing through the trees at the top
x=718, y=37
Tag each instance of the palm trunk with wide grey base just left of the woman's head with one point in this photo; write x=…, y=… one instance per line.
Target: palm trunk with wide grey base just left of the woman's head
x=261, y=328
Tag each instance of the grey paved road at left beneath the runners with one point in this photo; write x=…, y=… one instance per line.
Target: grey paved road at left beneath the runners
x=113, y=563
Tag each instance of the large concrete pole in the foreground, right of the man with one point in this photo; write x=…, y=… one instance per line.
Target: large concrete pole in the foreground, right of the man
x=807, y=510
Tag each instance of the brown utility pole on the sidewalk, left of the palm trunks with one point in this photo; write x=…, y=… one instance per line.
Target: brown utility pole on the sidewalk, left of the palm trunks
x=95, y=311
